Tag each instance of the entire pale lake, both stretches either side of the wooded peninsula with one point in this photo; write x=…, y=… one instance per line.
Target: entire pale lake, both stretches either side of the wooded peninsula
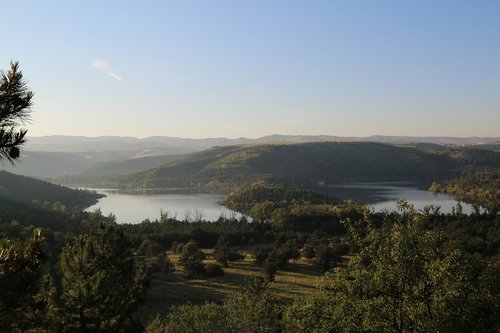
x=134, y=208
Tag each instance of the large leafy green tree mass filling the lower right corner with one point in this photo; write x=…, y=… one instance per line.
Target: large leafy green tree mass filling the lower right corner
x=403, y=279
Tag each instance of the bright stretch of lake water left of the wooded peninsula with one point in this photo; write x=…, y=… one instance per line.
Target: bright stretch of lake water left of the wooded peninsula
x=134, y=208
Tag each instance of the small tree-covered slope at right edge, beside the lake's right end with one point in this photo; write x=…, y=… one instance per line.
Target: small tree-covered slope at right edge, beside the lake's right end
x=482, y=187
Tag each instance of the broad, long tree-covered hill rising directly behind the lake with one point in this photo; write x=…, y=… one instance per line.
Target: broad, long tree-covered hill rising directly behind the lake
x=222, y=169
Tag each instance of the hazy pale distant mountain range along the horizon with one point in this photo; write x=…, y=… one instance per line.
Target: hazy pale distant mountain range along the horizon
x=52, y=157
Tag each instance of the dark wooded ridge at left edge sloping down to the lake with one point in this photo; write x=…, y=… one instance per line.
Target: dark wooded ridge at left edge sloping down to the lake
x=27, y=189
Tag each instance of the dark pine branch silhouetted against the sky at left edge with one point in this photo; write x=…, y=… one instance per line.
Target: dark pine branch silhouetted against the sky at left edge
x=15, y=104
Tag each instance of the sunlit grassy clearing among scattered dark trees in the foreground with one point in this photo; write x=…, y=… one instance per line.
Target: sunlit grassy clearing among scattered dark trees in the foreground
x=296, y=280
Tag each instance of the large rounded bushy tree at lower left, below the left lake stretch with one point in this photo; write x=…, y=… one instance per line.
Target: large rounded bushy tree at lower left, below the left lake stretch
x=101, y=282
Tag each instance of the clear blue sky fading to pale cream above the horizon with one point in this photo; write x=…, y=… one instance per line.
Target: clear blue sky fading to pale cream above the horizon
x=252, y=68
